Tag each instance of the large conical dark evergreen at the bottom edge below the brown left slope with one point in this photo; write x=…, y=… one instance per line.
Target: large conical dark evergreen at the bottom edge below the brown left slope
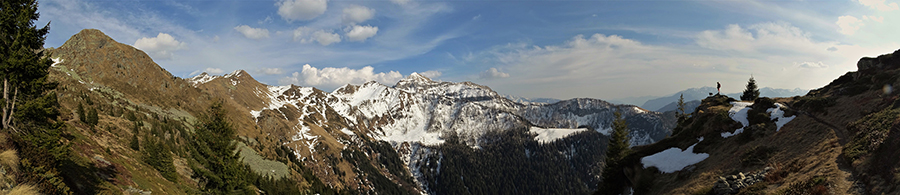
x=221, y=171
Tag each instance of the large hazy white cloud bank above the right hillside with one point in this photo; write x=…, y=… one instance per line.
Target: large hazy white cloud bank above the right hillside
x=604, y=66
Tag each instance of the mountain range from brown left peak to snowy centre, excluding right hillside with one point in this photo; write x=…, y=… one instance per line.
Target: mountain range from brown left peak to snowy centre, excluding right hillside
x=369, y=138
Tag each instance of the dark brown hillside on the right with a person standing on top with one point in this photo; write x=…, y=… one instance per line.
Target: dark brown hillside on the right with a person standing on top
x=844, y=140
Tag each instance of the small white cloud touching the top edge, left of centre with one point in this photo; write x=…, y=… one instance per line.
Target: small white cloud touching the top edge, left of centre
x=292, y=10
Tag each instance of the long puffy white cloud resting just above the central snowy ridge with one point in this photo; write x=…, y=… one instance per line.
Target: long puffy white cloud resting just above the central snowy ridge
x=333, y=77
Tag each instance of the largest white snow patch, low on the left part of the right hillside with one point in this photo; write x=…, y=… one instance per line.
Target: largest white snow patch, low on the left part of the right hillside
x=674, y=159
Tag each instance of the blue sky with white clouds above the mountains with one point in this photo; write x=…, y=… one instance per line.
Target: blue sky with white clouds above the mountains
x=607, y=49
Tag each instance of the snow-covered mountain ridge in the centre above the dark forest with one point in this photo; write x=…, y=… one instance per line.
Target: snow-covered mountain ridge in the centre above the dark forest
x=417, y=112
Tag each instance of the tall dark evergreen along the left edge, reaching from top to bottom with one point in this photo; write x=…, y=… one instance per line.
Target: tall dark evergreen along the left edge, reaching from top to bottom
x=26, y=99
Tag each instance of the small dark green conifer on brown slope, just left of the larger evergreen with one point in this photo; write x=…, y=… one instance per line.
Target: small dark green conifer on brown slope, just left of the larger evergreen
x=158, y=155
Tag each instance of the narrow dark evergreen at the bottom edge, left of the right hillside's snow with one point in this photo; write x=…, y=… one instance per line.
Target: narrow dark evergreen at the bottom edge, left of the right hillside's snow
x=614, y=180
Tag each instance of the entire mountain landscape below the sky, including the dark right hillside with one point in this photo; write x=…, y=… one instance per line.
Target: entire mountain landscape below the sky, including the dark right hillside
x=420, y=136
